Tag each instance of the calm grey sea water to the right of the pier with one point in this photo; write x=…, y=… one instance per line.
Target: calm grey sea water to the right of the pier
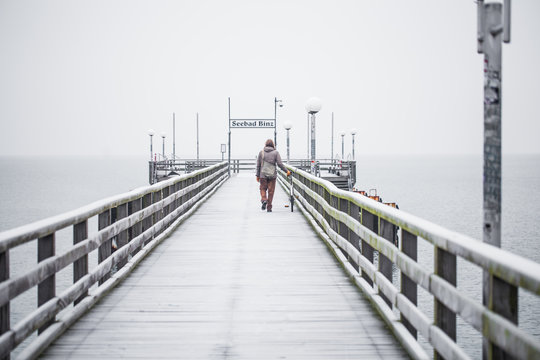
x=448, y=191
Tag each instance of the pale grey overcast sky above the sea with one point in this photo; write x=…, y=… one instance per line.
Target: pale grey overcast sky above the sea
x=91, y=77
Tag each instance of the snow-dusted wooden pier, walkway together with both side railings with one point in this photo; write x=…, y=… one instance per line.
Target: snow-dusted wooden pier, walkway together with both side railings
x=197, y=270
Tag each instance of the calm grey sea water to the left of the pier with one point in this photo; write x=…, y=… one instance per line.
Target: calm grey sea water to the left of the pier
x=33, y=189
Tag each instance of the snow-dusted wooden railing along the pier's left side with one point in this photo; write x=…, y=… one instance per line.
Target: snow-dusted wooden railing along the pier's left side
x=136, y=220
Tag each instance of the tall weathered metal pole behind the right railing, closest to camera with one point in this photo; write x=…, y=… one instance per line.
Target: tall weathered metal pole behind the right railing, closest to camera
x=498, y=295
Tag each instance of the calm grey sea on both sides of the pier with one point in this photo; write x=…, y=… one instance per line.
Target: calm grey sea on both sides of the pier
x=446, y=190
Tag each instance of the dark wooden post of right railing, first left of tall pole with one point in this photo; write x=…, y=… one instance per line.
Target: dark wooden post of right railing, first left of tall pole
x=445, y=319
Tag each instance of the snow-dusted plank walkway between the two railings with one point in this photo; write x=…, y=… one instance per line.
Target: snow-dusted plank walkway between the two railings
x=234, y=282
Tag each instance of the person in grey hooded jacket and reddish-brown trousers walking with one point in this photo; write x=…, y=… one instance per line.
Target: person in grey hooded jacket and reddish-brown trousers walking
x=267, y=173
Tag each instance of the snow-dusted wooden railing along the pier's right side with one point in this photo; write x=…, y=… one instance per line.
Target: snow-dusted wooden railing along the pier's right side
x=359, y=226
